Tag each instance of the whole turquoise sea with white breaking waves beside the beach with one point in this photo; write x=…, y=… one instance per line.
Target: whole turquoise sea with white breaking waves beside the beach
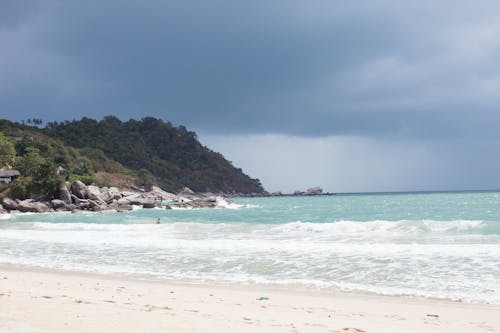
x=432, y=245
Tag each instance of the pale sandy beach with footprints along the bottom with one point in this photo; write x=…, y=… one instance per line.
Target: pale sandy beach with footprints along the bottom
x=35, y=300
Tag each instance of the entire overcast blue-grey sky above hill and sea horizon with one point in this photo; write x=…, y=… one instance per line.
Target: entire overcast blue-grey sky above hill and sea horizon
x=352, y=96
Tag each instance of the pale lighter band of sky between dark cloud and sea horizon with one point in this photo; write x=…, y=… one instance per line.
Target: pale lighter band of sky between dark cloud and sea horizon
x=359, y=164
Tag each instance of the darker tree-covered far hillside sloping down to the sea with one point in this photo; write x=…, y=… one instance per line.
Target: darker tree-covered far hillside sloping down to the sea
x=171, y=156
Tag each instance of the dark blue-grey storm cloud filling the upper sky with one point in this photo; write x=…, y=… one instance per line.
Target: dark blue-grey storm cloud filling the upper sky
x=377, y=68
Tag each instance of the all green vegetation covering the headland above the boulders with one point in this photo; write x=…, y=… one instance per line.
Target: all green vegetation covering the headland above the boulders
x=112, y=152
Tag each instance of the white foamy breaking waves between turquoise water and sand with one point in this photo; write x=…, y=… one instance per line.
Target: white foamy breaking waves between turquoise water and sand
x=456, y=259
